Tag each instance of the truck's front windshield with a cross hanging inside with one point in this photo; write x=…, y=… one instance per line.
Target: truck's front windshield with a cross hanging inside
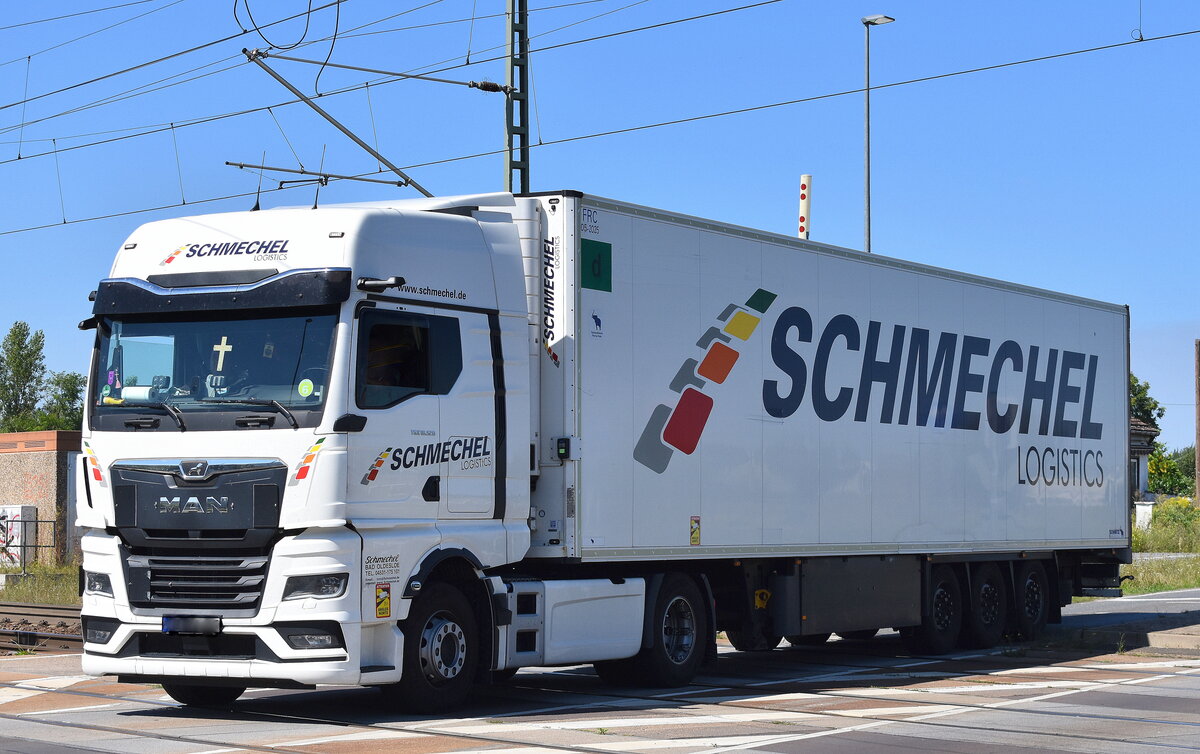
x=201, y=367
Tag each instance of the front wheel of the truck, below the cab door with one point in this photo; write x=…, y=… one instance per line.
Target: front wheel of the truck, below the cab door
x=441, y=651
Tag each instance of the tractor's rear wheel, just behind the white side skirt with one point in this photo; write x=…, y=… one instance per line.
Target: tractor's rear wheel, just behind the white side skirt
x=679, y=636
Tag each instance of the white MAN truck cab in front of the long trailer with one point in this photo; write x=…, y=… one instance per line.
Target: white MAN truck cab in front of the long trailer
x=293, y=418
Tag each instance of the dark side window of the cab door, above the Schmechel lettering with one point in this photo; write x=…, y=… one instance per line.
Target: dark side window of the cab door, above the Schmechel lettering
x=404, y=355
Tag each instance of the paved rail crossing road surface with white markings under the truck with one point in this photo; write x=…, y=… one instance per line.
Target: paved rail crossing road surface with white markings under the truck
x=844, y=697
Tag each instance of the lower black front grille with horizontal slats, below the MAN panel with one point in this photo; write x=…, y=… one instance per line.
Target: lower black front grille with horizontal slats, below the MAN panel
x=231, y=585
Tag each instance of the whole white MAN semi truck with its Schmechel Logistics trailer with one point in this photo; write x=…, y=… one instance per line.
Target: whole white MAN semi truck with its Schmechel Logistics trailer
x=422, y=444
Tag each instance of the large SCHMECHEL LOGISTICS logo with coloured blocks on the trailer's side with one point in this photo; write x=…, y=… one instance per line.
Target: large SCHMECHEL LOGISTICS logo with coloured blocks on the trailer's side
x=916, y=378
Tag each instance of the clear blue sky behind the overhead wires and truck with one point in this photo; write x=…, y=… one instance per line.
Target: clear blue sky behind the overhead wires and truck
x=1075, y=173
